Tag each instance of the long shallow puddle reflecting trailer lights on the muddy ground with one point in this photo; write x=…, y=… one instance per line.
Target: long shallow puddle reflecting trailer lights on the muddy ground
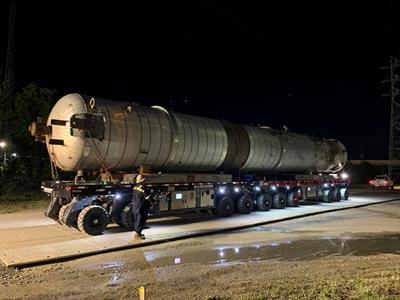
x=286, y=250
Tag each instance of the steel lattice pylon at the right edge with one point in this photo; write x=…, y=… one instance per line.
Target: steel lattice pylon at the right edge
x=394, y=134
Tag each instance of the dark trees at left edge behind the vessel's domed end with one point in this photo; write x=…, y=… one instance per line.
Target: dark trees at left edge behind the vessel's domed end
x=27, y=162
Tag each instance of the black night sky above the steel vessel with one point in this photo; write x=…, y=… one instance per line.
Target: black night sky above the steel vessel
x=313, y=67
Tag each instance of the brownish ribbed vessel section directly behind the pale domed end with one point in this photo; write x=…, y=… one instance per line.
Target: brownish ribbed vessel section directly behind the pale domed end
x=141, y=136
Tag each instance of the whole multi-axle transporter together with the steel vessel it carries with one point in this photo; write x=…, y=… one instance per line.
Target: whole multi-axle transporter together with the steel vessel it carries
x=190, y=163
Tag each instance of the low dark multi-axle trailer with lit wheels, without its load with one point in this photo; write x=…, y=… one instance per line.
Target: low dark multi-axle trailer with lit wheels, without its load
x=88, y=205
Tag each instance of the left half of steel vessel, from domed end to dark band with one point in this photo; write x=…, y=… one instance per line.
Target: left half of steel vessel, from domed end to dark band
x=142, y=136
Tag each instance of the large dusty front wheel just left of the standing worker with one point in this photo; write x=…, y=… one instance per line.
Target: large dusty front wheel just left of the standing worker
x=93, y=219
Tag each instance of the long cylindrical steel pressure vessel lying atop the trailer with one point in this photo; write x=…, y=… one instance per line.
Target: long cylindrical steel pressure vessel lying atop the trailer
x=86, y=133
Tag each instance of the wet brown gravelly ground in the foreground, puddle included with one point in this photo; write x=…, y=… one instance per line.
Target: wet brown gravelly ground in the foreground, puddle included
x=273, y=260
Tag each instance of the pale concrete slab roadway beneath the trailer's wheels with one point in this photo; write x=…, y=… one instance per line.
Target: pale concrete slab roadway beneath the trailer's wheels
x=31, y=238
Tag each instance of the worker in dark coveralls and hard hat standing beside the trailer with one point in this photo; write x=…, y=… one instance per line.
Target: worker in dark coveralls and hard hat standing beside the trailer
x=140, y=207
